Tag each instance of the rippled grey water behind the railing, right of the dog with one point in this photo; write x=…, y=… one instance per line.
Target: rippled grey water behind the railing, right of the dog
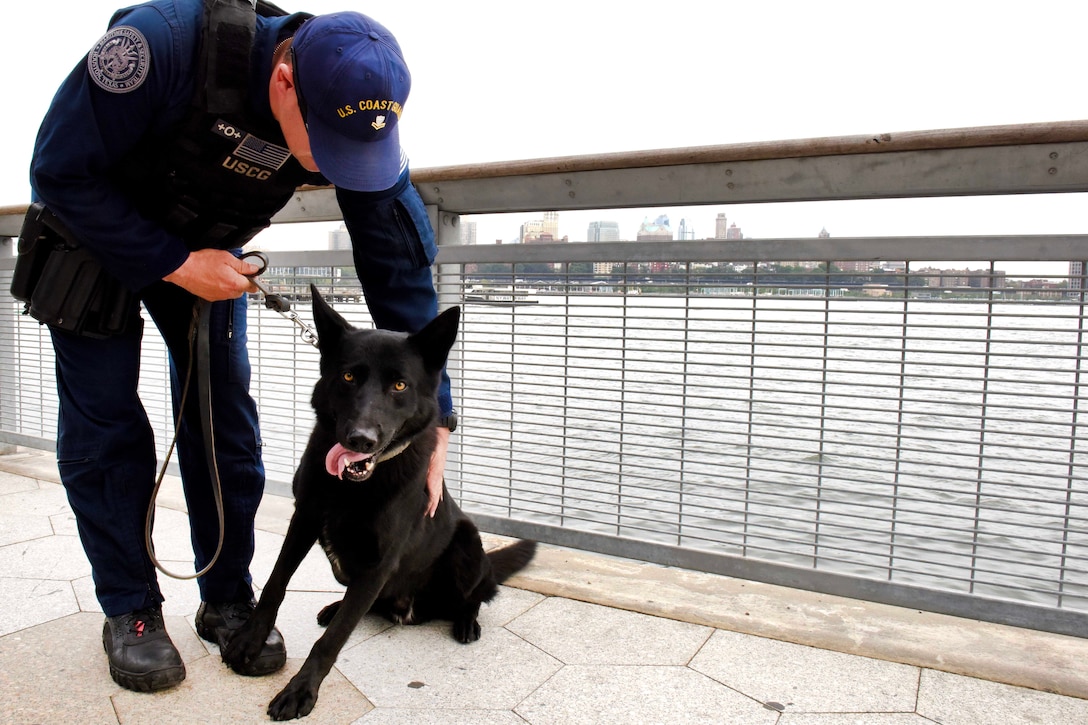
x=926, y=444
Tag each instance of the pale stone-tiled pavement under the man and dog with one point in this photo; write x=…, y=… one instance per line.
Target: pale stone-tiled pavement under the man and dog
x=577, y=638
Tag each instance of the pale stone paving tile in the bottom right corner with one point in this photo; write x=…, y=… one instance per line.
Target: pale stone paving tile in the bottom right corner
x=957, y=701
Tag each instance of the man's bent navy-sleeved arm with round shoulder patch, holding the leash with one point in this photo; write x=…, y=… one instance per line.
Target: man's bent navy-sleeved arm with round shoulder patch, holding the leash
x=94, y=124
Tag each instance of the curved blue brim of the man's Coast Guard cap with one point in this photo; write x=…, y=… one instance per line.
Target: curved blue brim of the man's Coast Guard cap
x=354, y=165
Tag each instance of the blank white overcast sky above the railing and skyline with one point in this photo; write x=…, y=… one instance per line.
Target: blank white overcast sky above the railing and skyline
x=499, y=81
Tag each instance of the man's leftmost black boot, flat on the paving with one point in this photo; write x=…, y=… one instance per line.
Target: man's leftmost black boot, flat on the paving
x=142, y=657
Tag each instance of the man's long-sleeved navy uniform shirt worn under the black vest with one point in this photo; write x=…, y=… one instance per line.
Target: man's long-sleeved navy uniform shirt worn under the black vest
x=89, y=130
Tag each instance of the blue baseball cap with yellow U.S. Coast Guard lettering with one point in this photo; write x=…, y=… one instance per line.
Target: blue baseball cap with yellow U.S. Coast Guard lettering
x=353, y=84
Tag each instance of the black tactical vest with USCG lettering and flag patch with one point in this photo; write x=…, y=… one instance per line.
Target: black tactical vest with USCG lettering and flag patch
x=221, y=176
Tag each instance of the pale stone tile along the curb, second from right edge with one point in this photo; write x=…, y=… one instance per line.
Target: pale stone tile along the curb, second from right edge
x=805, y=679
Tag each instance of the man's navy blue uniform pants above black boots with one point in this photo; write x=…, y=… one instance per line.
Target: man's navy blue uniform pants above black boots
x=107, y=452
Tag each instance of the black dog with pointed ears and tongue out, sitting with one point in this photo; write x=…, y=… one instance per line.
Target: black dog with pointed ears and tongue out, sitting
x=361, y=490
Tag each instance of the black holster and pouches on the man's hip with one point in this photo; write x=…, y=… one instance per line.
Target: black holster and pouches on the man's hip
x=64, y=286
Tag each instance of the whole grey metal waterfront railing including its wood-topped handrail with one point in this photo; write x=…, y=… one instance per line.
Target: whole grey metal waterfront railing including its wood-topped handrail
x=724, y=407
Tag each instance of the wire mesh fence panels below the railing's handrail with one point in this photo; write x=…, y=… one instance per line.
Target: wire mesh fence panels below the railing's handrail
x=904, y=424
